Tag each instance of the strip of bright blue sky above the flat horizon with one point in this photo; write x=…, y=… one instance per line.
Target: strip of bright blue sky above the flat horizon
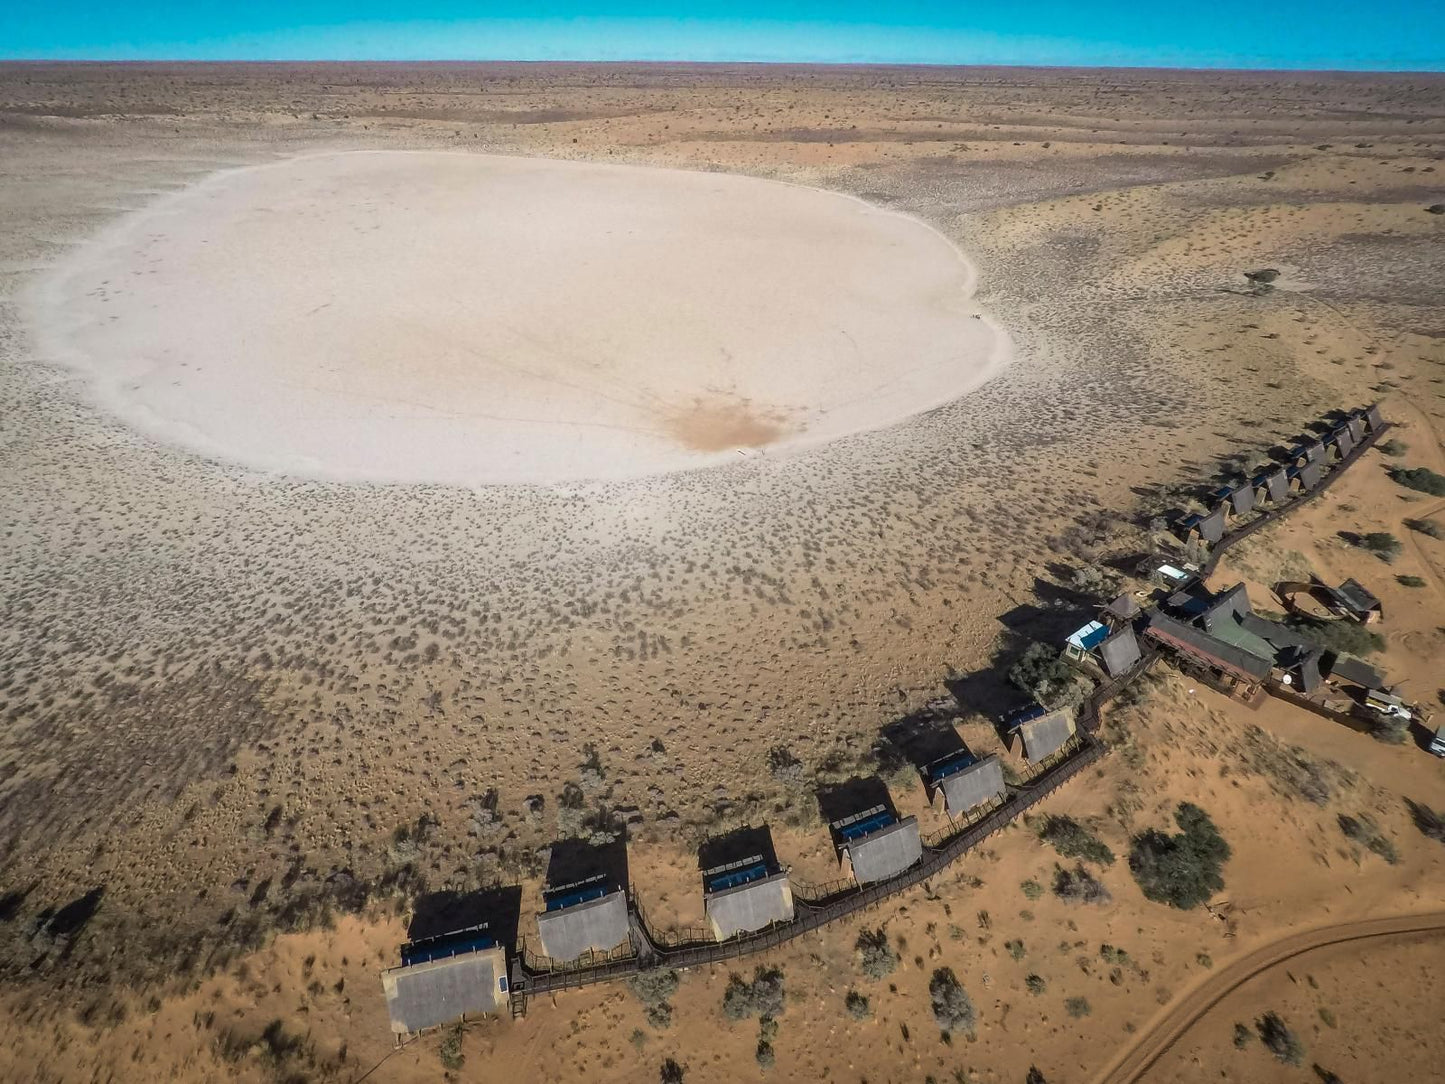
x=1264, y=34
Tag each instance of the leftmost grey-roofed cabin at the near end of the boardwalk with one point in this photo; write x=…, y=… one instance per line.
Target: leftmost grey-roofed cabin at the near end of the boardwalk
x=444, y=979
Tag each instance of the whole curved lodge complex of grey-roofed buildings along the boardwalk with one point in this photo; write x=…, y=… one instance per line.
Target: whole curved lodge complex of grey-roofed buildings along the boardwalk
x=592, y=917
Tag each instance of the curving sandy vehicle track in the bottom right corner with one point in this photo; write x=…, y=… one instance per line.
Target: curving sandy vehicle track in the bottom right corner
x=1135, y=1062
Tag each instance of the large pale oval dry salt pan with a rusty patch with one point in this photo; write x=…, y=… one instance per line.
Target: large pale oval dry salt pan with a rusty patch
x=478, y=319
